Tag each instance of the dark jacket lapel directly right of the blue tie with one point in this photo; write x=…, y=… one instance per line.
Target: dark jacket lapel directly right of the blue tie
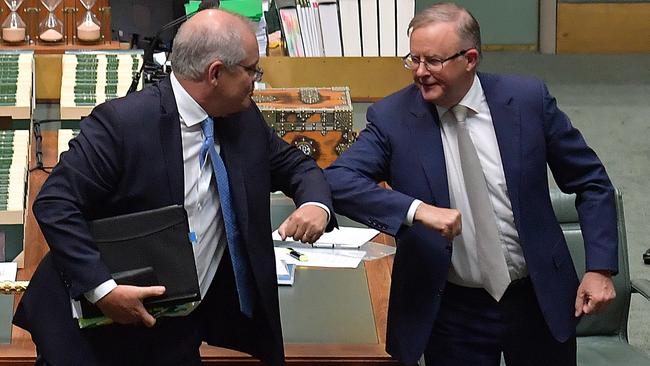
x=232, y=155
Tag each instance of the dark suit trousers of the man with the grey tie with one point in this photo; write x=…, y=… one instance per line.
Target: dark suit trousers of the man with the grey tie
x=474, y=329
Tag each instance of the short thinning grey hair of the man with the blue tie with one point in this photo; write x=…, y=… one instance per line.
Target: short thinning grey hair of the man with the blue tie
x=195, y=48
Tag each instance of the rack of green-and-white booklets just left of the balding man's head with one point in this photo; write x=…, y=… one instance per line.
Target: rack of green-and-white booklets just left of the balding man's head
x=91, y=78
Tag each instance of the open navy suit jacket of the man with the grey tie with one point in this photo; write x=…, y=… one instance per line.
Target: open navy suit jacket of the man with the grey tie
x=402, y=145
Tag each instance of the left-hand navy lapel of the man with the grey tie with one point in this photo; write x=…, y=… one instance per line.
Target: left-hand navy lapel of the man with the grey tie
x=424, y=126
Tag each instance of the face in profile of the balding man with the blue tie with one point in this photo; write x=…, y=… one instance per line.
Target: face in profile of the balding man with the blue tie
x=236, y=82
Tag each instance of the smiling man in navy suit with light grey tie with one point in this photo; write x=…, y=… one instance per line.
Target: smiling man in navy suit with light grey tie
x=443, y=303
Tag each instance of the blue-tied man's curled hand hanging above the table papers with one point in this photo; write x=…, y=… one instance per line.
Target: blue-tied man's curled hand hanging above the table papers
x=305, y=224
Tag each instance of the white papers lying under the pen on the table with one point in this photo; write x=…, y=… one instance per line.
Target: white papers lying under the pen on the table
x=333, y=258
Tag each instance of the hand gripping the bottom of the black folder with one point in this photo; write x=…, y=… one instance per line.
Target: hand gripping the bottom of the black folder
x=124, y=304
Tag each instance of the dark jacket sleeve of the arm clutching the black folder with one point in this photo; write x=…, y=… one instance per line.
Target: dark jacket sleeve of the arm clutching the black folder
x=84, y=176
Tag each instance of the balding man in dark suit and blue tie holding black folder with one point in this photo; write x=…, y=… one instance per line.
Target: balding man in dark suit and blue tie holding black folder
x=153, y=149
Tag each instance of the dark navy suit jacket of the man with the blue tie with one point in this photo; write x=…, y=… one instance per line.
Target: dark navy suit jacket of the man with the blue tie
x=128, y=158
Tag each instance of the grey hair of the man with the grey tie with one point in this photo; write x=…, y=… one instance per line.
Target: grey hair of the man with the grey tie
x=468, y=29
